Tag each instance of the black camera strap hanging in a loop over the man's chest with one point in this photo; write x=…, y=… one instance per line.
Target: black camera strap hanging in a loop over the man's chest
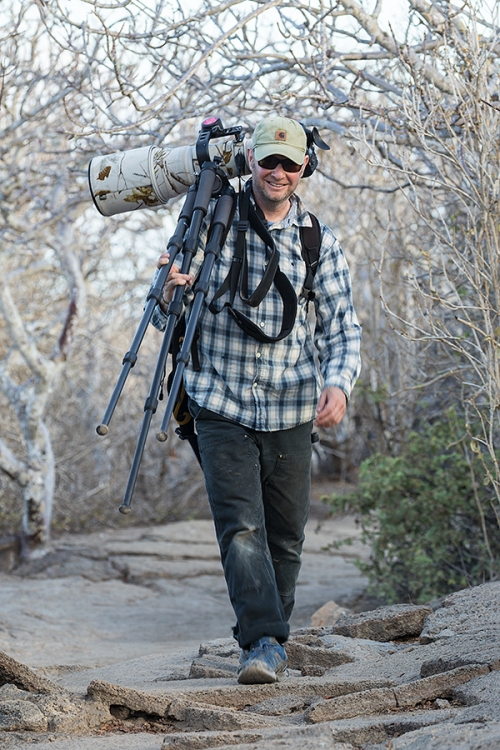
x=248, y=216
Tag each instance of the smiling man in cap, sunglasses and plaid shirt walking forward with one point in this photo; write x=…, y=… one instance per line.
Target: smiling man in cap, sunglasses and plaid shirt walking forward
x=255, y=402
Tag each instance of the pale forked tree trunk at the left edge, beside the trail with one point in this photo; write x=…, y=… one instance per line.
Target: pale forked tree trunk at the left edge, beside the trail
x=36, y=473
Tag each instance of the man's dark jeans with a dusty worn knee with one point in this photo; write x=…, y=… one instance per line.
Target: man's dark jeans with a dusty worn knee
x=258, y=485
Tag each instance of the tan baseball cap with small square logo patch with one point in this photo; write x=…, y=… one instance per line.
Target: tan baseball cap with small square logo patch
x=281, y=136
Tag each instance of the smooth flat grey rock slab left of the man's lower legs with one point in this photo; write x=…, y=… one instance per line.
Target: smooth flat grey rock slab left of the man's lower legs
x=76, y=621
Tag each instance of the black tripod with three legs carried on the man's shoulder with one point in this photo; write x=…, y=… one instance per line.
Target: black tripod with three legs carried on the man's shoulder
x=211, y=183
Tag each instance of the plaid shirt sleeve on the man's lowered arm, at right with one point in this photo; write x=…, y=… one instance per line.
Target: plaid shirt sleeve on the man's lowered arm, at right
x=337, y=331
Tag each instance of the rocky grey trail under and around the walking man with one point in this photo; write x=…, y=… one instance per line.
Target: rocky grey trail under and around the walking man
x=121, y=641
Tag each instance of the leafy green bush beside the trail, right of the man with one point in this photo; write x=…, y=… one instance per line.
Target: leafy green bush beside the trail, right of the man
x=430, y=523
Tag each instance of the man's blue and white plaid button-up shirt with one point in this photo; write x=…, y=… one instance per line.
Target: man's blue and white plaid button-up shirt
x=275, y=386
